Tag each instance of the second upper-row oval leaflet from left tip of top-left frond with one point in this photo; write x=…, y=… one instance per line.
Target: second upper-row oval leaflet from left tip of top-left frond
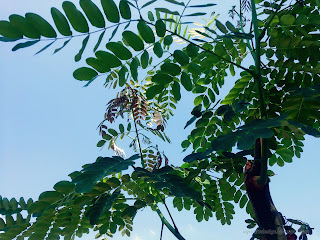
x=23, y=26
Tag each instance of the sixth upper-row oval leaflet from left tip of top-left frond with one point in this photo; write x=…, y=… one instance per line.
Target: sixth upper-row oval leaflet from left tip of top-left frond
x=93, y=13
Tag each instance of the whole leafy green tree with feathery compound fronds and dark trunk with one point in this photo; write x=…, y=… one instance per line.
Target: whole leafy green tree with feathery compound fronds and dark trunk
x=263, y=115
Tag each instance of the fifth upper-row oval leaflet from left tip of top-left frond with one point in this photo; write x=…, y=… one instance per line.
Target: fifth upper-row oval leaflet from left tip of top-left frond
x=76, y=18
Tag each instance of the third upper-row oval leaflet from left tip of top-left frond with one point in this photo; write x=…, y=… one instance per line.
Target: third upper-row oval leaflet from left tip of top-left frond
x=44, y=28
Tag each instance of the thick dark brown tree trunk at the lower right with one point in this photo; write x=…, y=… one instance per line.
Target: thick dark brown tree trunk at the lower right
x=269, y=220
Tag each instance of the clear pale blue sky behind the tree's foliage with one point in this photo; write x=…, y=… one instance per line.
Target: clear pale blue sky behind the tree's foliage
x=48, y=127
